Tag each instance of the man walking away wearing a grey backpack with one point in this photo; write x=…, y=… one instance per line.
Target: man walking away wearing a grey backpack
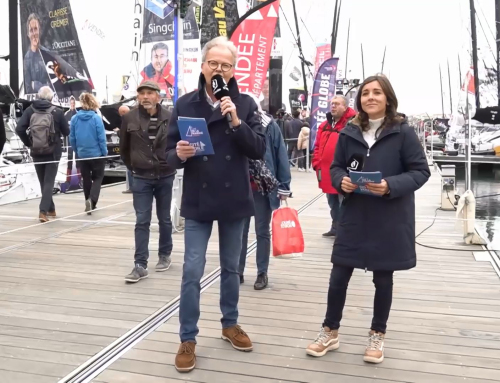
x=40, y=128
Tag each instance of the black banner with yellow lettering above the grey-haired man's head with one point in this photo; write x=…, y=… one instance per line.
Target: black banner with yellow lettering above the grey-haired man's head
x=218, y=17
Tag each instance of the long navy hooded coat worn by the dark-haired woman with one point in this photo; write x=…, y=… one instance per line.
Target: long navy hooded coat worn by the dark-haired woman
x=378, y=233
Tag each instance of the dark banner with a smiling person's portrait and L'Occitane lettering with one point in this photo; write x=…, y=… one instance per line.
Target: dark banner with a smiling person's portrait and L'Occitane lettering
x=52, y=52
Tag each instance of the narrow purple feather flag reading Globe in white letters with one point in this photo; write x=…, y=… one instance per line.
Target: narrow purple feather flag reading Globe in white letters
x=323, y=92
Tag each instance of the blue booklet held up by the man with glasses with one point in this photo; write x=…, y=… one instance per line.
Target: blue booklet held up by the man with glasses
x=195, y=131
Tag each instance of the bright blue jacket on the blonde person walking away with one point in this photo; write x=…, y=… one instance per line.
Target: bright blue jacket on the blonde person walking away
x=87, y=136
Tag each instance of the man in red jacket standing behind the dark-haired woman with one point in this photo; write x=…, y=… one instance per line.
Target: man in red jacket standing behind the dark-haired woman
x=324, y=152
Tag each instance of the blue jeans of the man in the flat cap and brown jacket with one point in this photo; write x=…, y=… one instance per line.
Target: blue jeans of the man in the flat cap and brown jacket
x=144, y=191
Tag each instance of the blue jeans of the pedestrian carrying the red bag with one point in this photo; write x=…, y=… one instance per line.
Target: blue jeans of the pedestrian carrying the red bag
x=263, y=215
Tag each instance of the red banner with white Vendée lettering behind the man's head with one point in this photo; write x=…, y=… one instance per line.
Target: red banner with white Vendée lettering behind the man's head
x=253, y=38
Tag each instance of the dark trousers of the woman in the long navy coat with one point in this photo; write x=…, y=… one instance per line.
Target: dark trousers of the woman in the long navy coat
x=339, y=280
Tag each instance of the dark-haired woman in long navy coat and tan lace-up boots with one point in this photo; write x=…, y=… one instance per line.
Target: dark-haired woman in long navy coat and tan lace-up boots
x=376, y=231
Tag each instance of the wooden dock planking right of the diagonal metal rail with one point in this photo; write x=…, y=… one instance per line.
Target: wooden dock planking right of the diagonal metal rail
x=444, y=325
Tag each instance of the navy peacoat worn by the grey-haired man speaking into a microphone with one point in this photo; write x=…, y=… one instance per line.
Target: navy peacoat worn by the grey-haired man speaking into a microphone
x=217, y=187
